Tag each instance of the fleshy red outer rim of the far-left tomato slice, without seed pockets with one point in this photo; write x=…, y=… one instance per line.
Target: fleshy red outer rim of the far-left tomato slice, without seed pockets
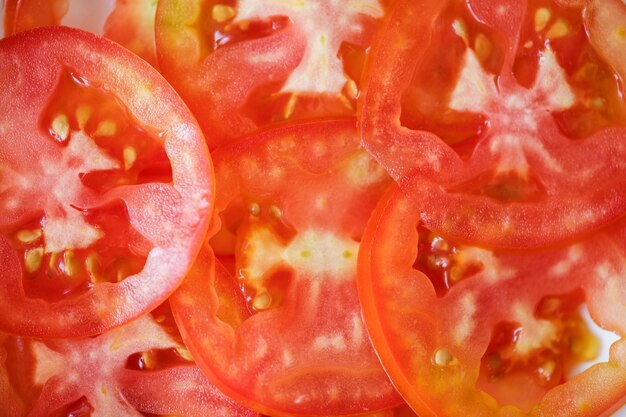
x=36, y=70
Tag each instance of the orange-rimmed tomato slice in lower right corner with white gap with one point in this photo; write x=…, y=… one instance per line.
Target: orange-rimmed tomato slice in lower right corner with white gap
x=463, y=330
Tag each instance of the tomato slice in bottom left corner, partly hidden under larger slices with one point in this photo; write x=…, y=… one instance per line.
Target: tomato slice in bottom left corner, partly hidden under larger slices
x=135, y=370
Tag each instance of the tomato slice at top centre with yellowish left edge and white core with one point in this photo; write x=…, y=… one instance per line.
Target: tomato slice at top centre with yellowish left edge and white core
x=241, y=65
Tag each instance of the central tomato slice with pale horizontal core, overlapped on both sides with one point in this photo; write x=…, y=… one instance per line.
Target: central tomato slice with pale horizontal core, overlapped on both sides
x=293, y=203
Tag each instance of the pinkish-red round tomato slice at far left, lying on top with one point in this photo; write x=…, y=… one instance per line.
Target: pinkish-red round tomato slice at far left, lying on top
x=105, y=185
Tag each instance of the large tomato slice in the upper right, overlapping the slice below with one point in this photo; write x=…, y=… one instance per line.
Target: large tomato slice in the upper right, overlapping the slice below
x=530, y=143
